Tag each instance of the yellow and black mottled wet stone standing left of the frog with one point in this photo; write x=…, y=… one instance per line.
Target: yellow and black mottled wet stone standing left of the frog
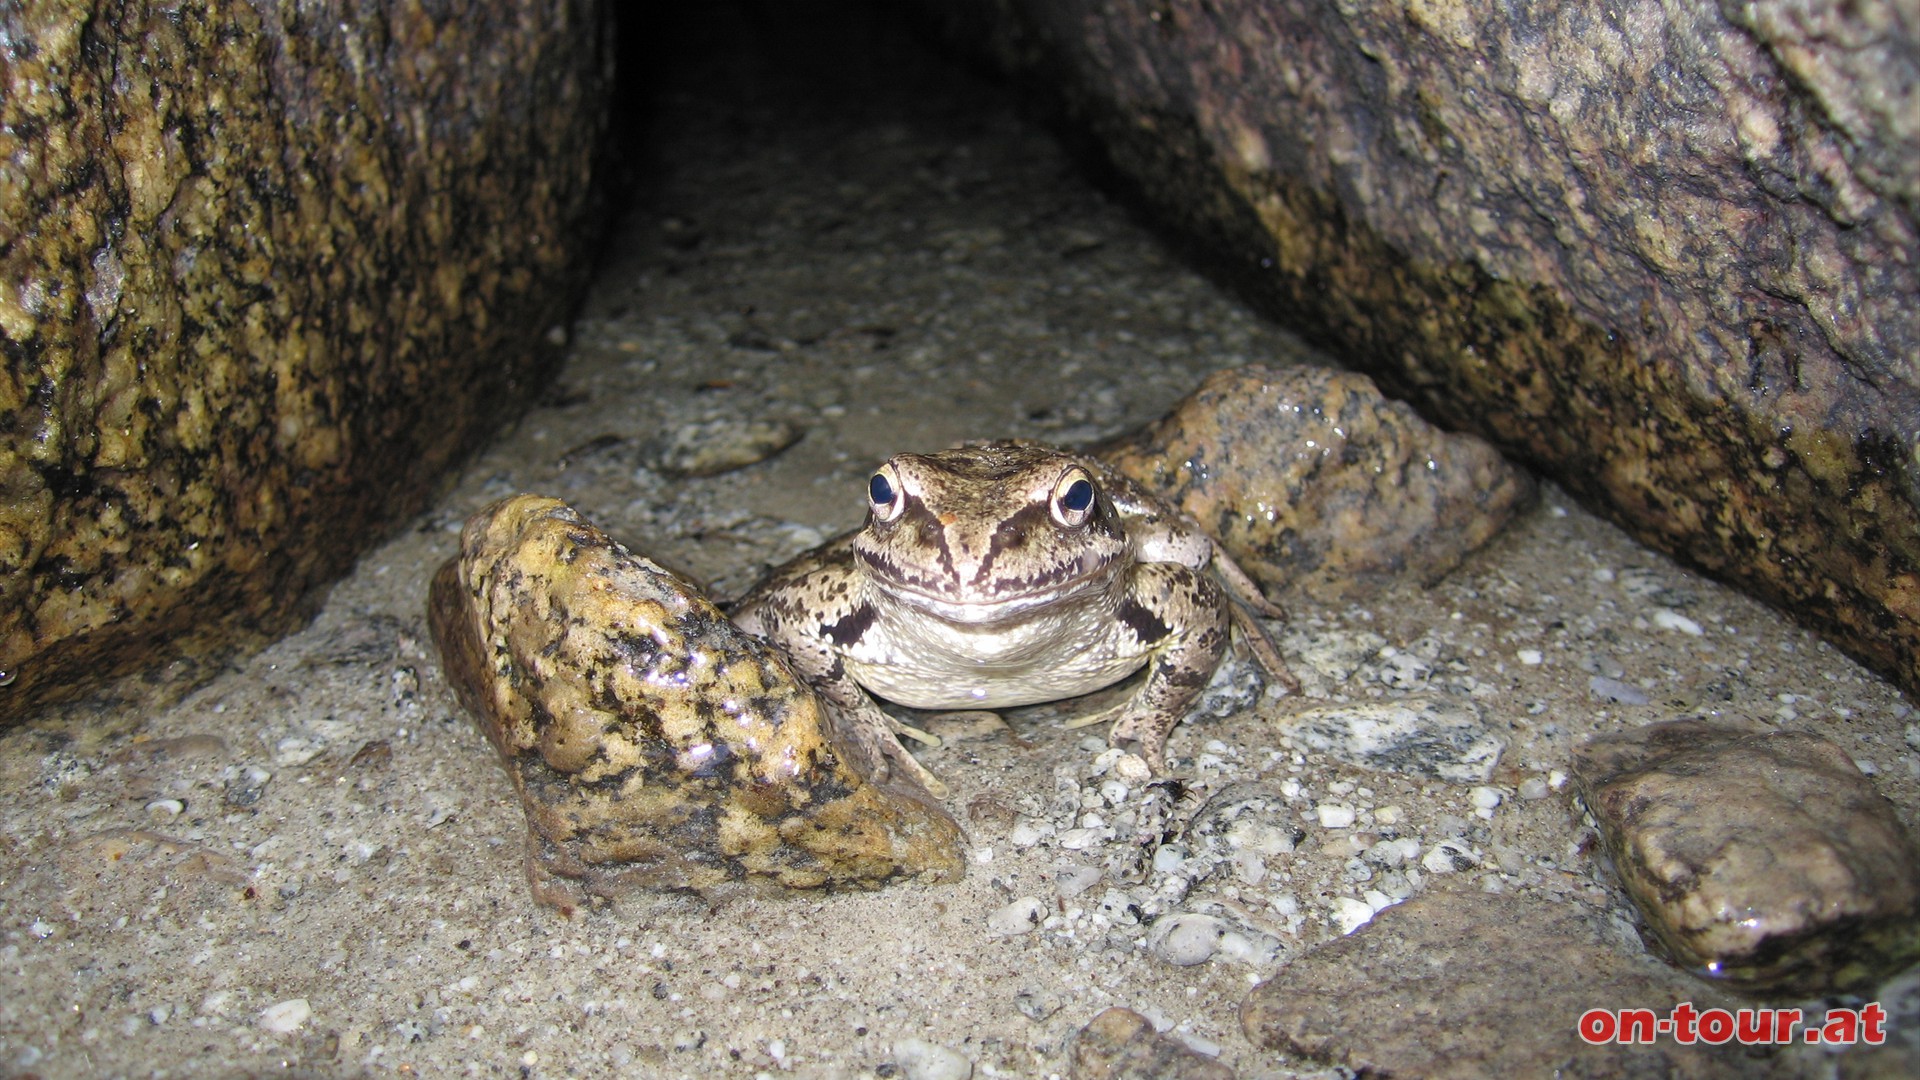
x=652, y=743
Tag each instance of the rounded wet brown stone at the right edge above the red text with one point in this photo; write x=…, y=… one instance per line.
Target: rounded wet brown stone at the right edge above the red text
x=1756, y=856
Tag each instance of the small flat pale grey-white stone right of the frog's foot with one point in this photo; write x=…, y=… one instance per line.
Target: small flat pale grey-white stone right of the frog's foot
x=1418, y=737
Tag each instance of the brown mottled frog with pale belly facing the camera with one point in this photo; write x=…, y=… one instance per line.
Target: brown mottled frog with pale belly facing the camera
x=1009, y=574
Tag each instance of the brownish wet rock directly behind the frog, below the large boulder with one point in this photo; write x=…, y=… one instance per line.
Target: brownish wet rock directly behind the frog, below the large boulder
x=1312, y=479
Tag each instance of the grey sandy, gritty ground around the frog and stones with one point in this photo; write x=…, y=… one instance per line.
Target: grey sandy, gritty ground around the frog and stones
x=314, y=864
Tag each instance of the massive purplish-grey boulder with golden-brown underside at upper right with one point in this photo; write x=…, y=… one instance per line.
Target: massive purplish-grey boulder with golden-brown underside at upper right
x=1666, y=253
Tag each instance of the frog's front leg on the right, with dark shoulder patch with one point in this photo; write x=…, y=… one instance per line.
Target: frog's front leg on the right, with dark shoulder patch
x=1180, y=618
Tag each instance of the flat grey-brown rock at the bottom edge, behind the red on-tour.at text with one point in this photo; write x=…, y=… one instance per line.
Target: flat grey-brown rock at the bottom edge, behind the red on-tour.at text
x=1462, y=983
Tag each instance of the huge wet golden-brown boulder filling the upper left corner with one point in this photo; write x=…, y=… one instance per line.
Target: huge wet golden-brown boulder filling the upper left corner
x=270, y=268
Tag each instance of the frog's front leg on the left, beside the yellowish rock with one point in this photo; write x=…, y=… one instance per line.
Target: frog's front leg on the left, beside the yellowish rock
x=805, y=639
